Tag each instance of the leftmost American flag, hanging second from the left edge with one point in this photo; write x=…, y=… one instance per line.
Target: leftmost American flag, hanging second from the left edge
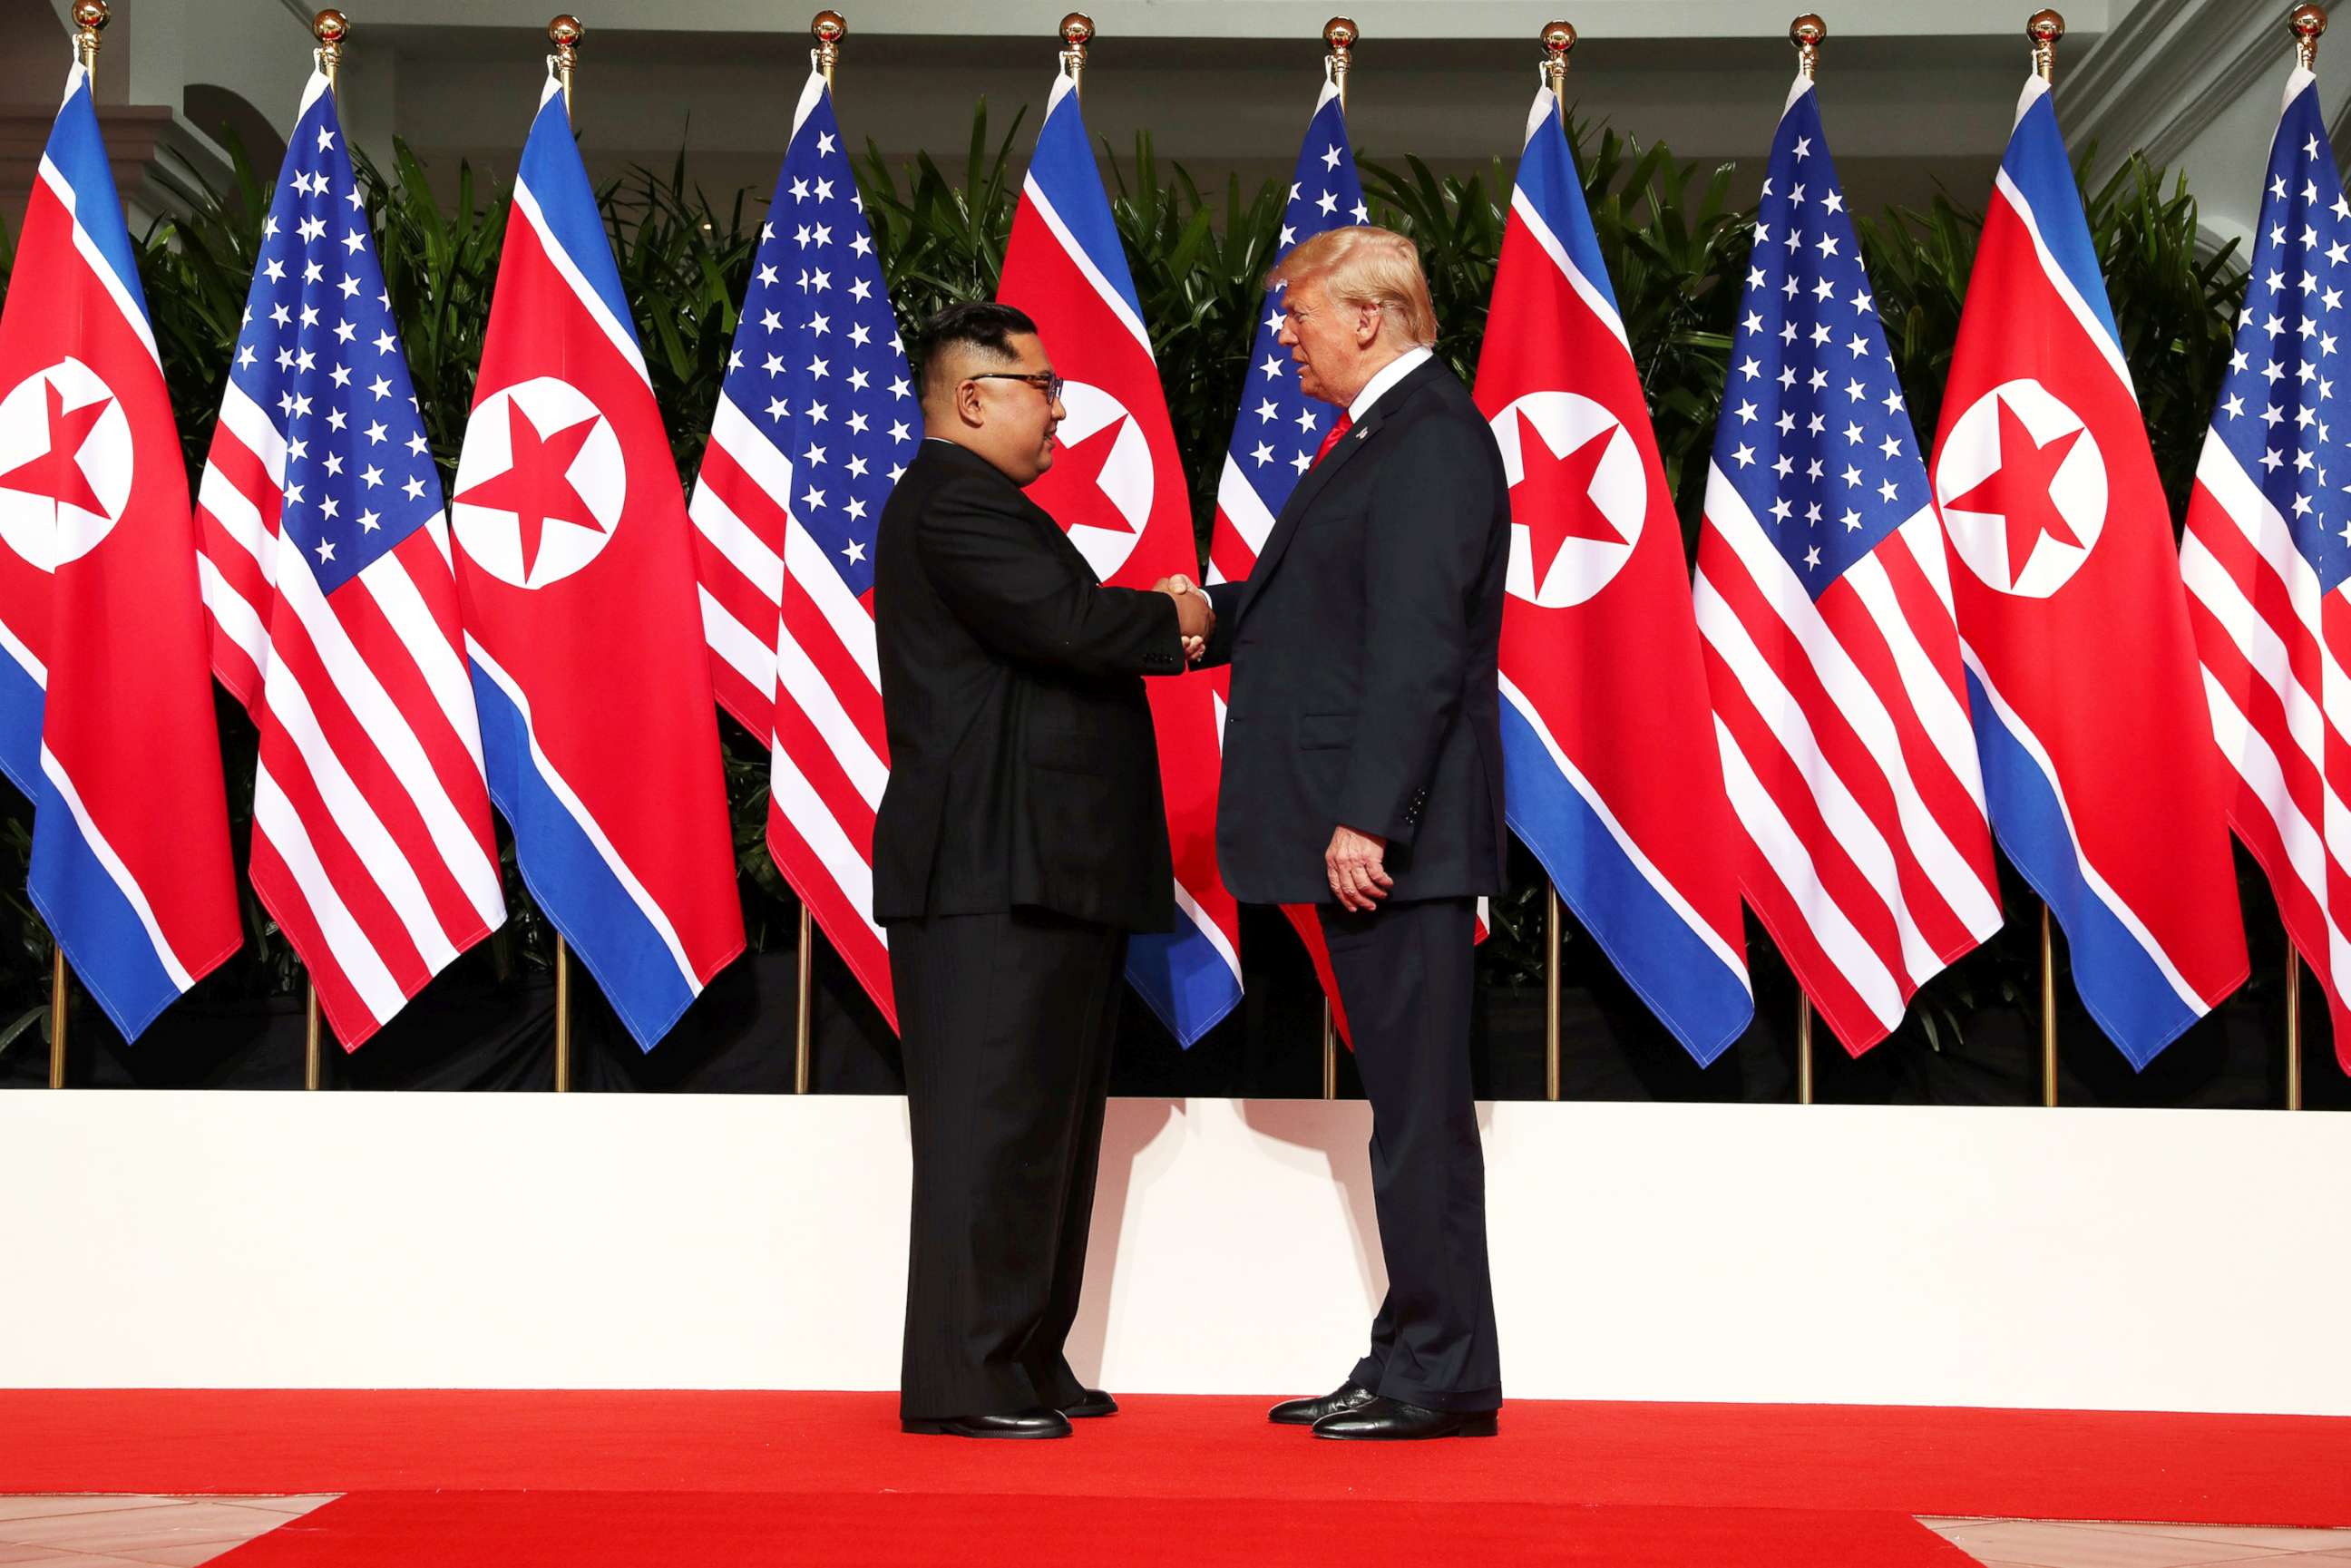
x=333, y=612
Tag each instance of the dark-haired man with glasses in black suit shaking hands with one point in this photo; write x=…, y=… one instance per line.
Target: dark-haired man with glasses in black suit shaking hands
x=1019, y=843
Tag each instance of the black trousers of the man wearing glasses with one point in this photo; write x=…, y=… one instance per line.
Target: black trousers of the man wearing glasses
x=1005, y=1024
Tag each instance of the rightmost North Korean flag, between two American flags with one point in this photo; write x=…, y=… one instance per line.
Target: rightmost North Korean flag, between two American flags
x=2084, y=690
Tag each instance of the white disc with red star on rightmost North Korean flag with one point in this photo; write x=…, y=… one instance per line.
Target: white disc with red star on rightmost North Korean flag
x=2023, y=490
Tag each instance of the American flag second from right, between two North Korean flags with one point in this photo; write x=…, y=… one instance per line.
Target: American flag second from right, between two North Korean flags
x=1826, y=605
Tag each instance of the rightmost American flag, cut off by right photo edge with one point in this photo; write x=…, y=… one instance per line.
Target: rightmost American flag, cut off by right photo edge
x=2270, y=547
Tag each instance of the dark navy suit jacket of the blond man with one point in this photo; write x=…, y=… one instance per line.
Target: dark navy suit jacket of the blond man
x=1365, y=659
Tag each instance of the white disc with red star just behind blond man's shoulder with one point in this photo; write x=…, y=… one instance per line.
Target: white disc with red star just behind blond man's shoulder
x=1619, y=497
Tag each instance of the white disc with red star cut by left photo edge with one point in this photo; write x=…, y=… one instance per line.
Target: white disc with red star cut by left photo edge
x=67, y=464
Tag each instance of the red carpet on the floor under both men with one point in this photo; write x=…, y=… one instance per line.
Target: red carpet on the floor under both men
x=596, y=1480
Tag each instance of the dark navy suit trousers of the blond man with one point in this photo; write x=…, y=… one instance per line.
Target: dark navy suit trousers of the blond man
x=1405, y=979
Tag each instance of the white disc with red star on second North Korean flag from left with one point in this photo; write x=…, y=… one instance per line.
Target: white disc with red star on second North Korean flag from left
x=547, y=516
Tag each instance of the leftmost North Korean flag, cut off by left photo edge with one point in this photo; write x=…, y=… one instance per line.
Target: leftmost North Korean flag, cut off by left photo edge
x=105, y=674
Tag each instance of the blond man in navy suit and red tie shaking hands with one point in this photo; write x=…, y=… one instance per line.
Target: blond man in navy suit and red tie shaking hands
x=1365, y=775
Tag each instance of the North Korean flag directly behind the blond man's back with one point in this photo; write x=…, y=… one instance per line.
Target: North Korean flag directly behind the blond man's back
x=1609, y=758
